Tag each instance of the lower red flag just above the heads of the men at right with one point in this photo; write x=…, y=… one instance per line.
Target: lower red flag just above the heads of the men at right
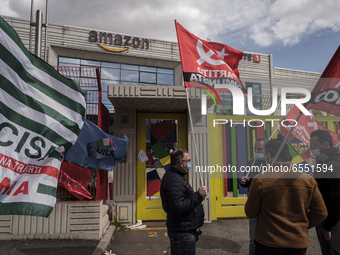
x=305, y=126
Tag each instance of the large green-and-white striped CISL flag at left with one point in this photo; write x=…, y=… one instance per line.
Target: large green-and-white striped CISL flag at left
x=41, y=114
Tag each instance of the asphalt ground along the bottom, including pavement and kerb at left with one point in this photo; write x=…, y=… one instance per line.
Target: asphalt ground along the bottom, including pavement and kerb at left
x=227, y=236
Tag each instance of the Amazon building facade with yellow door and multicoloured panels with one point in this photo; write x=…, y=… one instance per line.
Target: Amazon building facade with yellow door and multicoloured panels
x=142, y=84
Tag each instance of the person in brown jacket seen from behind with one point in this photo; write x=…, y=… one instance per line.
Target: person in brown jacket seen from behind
x=287, y=203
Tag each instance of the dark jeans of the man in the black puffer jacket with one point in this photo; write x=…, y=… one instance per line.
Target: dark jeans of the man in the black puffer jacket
x=182, y=243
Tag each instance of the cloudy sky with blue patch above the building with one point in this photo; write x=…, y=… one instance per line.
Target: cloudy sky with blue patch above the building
x=300, y=34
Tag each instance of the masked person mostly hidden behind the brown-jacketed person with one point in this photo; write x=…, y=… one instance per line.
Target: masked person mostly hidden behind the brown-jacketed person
x=255, y=166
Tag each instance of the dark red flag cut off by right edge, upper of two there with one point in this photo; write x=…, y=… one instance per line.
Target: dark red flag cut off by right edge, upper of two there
x=326, y=93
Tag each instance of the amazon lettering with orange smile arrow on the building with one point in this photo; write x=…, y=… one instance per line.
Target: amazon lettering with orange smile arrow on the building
x=108, y=41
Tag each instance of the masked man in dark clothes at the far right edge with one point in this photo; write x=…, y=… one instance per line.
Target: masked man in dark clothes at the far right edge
x=327, y=175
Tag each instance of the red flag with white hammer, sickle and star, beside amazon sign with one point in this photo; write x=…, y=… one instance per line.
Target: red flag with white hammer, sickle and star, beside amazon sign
x=208, y=64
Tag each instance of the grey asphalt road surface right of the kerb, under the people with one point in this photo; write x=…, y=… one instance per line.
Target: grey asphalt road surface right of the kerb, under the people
x=227, y=236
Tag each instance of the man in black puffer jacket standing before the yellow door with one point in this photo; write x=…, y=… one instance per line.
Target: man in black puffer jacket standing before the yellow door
x=183, y=206
